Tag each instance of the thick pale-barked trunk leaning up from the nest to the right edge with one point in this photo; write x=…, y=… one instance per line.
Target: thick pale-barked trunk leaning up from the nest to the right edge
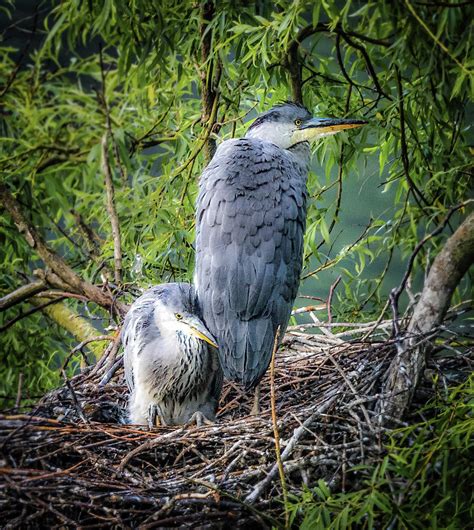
x=445, y=274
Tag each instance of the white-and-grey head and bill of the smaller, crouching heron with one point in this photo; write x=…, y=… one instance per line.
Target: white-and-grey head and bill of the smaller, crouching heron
x=174, y=311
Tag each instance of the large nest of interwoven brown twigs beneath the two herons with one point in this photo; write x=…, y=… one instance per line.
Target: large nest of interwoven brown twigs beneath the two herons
x=70, y=461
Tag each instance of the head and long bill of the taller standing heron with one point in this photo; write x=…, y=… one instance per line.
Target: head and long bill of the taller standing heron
x=290, y=124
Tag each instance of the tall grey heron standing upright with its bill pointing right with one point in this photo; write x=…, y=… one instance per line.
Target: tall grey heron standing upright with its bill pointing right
x=250, y=222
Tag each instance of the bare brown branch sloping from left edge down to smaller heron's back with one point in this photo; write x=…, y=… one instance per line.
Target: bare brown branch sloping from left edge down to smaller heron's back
x=54, y=262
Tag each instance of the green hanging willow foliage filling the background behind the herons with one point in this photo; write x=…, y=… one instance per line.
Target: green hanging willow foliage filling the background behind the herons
x=137, y=68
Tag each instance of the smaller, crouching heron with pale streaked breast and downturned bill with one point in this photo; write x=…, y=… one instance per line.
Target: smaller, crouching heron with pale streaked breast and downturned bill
x=170, y=359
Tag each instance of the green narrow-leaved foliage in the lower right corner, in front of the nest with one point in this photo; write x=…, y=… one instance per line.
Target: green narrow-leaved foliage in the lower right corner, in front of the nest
x=424, y=481
